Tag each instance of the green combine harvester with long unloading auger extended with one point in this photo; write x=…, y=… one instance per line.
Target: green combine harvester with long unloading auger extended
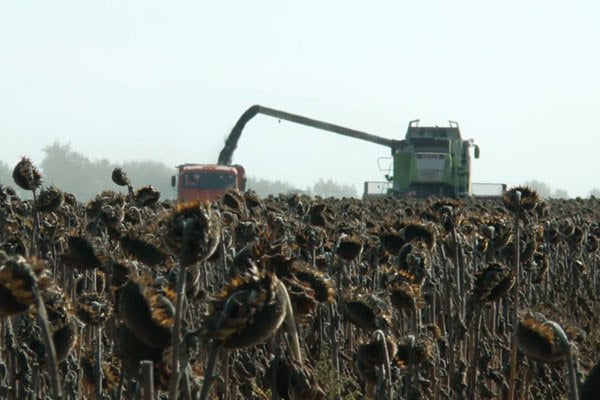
x=429, y=161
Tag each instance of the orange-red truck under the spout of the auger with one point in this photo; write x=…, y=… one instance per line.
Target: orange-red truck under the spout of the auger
x=207, y=181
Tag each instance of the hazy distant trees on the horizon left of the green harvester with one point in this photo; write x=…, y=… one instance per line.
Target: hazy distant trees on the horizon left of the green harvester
x=75, y=173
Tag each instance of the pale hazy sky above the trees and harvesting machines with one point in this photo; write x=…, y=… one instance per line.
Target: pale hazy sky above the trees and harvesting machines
x=166, y=81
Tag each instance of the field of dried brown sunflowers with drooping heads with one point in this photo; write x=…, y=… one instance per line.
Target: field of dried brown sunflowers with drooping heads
x=291, y=297
